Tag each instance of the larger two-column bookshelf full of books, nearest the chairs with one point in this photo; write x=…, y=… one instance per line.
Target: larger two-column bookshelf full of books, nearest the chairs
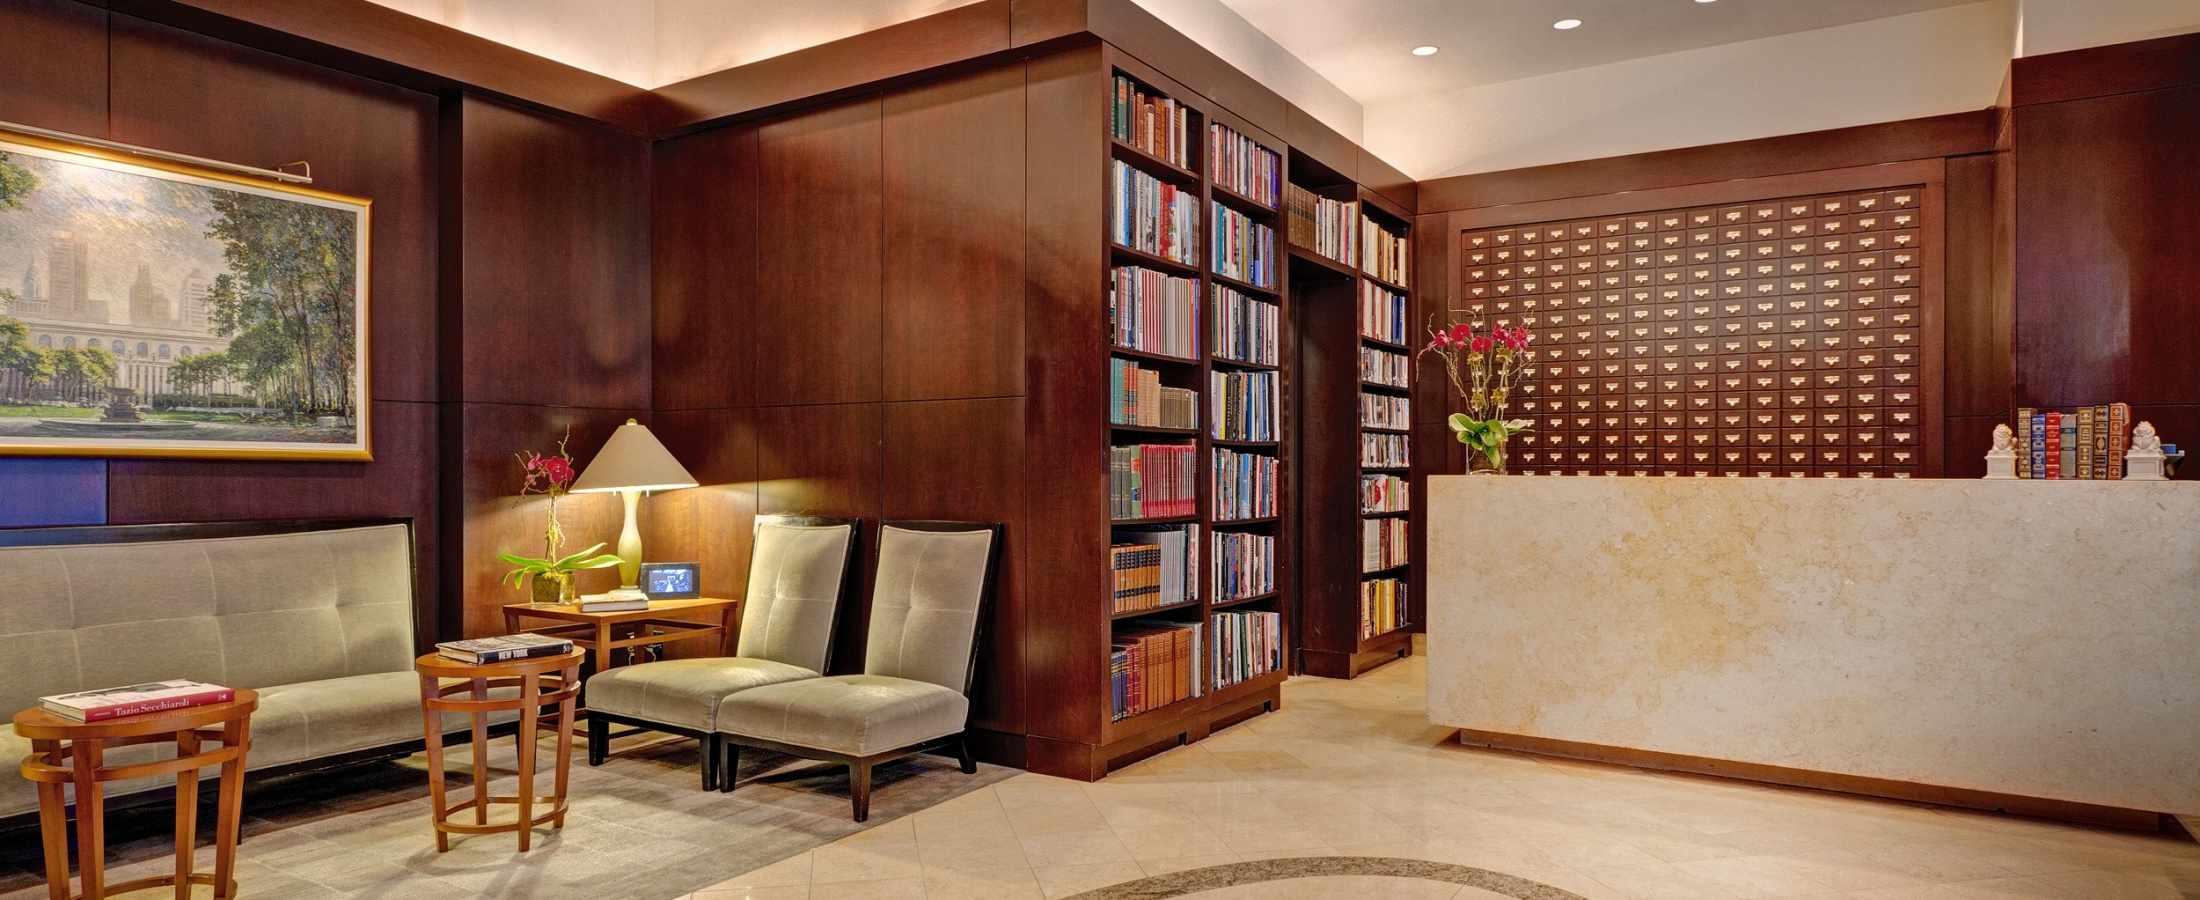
x=1240, y=285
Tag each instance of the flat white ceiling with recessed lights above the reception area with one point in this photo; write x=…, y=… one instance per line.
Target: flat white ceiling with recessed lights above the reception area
x=1363, y=45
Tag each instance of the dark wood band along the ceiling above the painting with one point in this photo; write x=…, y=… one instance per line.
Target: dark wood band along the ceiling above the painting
x=386, y=45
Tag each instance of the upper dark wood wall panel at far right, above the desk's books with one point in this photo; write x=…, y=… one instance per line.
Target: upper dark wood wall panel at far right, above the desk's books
x=2109, y=204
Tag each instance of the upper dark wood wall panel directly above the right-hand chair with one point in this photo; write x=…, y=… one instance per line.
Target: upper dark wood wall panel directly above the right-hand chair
x=954, y=289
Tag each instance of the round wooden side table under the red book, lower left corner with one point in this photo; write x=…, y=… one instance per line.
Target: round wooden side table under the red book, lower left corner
x=74, y=754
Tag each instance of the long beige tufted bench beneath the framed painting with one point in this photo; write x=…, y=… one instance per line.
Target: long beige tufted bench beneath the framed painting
x=318, y=622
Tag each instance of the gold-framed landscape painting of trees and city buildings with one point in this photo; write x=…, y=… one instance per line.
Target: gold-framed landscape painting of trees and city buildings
x=157, y=309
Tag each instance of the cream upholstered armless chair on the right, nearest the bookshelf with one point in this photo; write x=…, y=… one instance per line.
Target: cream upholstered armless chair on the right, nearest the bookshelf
x=929, y=597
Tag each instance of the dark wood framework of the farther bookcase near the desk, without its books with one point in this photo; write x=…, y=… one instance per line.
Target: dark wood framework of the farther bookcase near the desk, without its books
x=1330, y=342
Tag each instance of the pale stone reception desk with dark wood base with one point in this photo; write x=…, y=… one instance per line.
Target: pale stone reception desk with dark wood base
x=2029, y=646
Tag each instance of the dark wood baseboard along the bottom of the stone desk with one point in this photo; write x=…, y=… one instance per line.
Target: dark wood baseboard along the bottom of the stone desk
x=1845, y=784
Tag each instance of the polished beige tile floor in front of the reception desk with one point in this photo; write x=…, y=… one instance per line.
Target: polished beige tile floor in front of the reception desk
x=1354, y=769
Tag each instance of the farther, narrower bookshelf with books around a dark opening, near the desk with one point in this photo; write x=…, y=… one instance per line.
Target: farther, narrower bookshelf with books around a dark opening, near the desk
x=1347, y=406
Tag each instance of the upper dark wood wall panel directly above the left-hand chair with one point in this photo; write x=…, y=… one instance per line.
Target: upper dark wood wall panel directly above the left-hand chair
x=817, y=325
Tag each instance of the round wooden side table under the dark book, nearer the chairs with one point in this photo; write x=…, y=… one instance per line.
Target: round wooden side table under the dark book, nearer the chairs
x=542, y=681
